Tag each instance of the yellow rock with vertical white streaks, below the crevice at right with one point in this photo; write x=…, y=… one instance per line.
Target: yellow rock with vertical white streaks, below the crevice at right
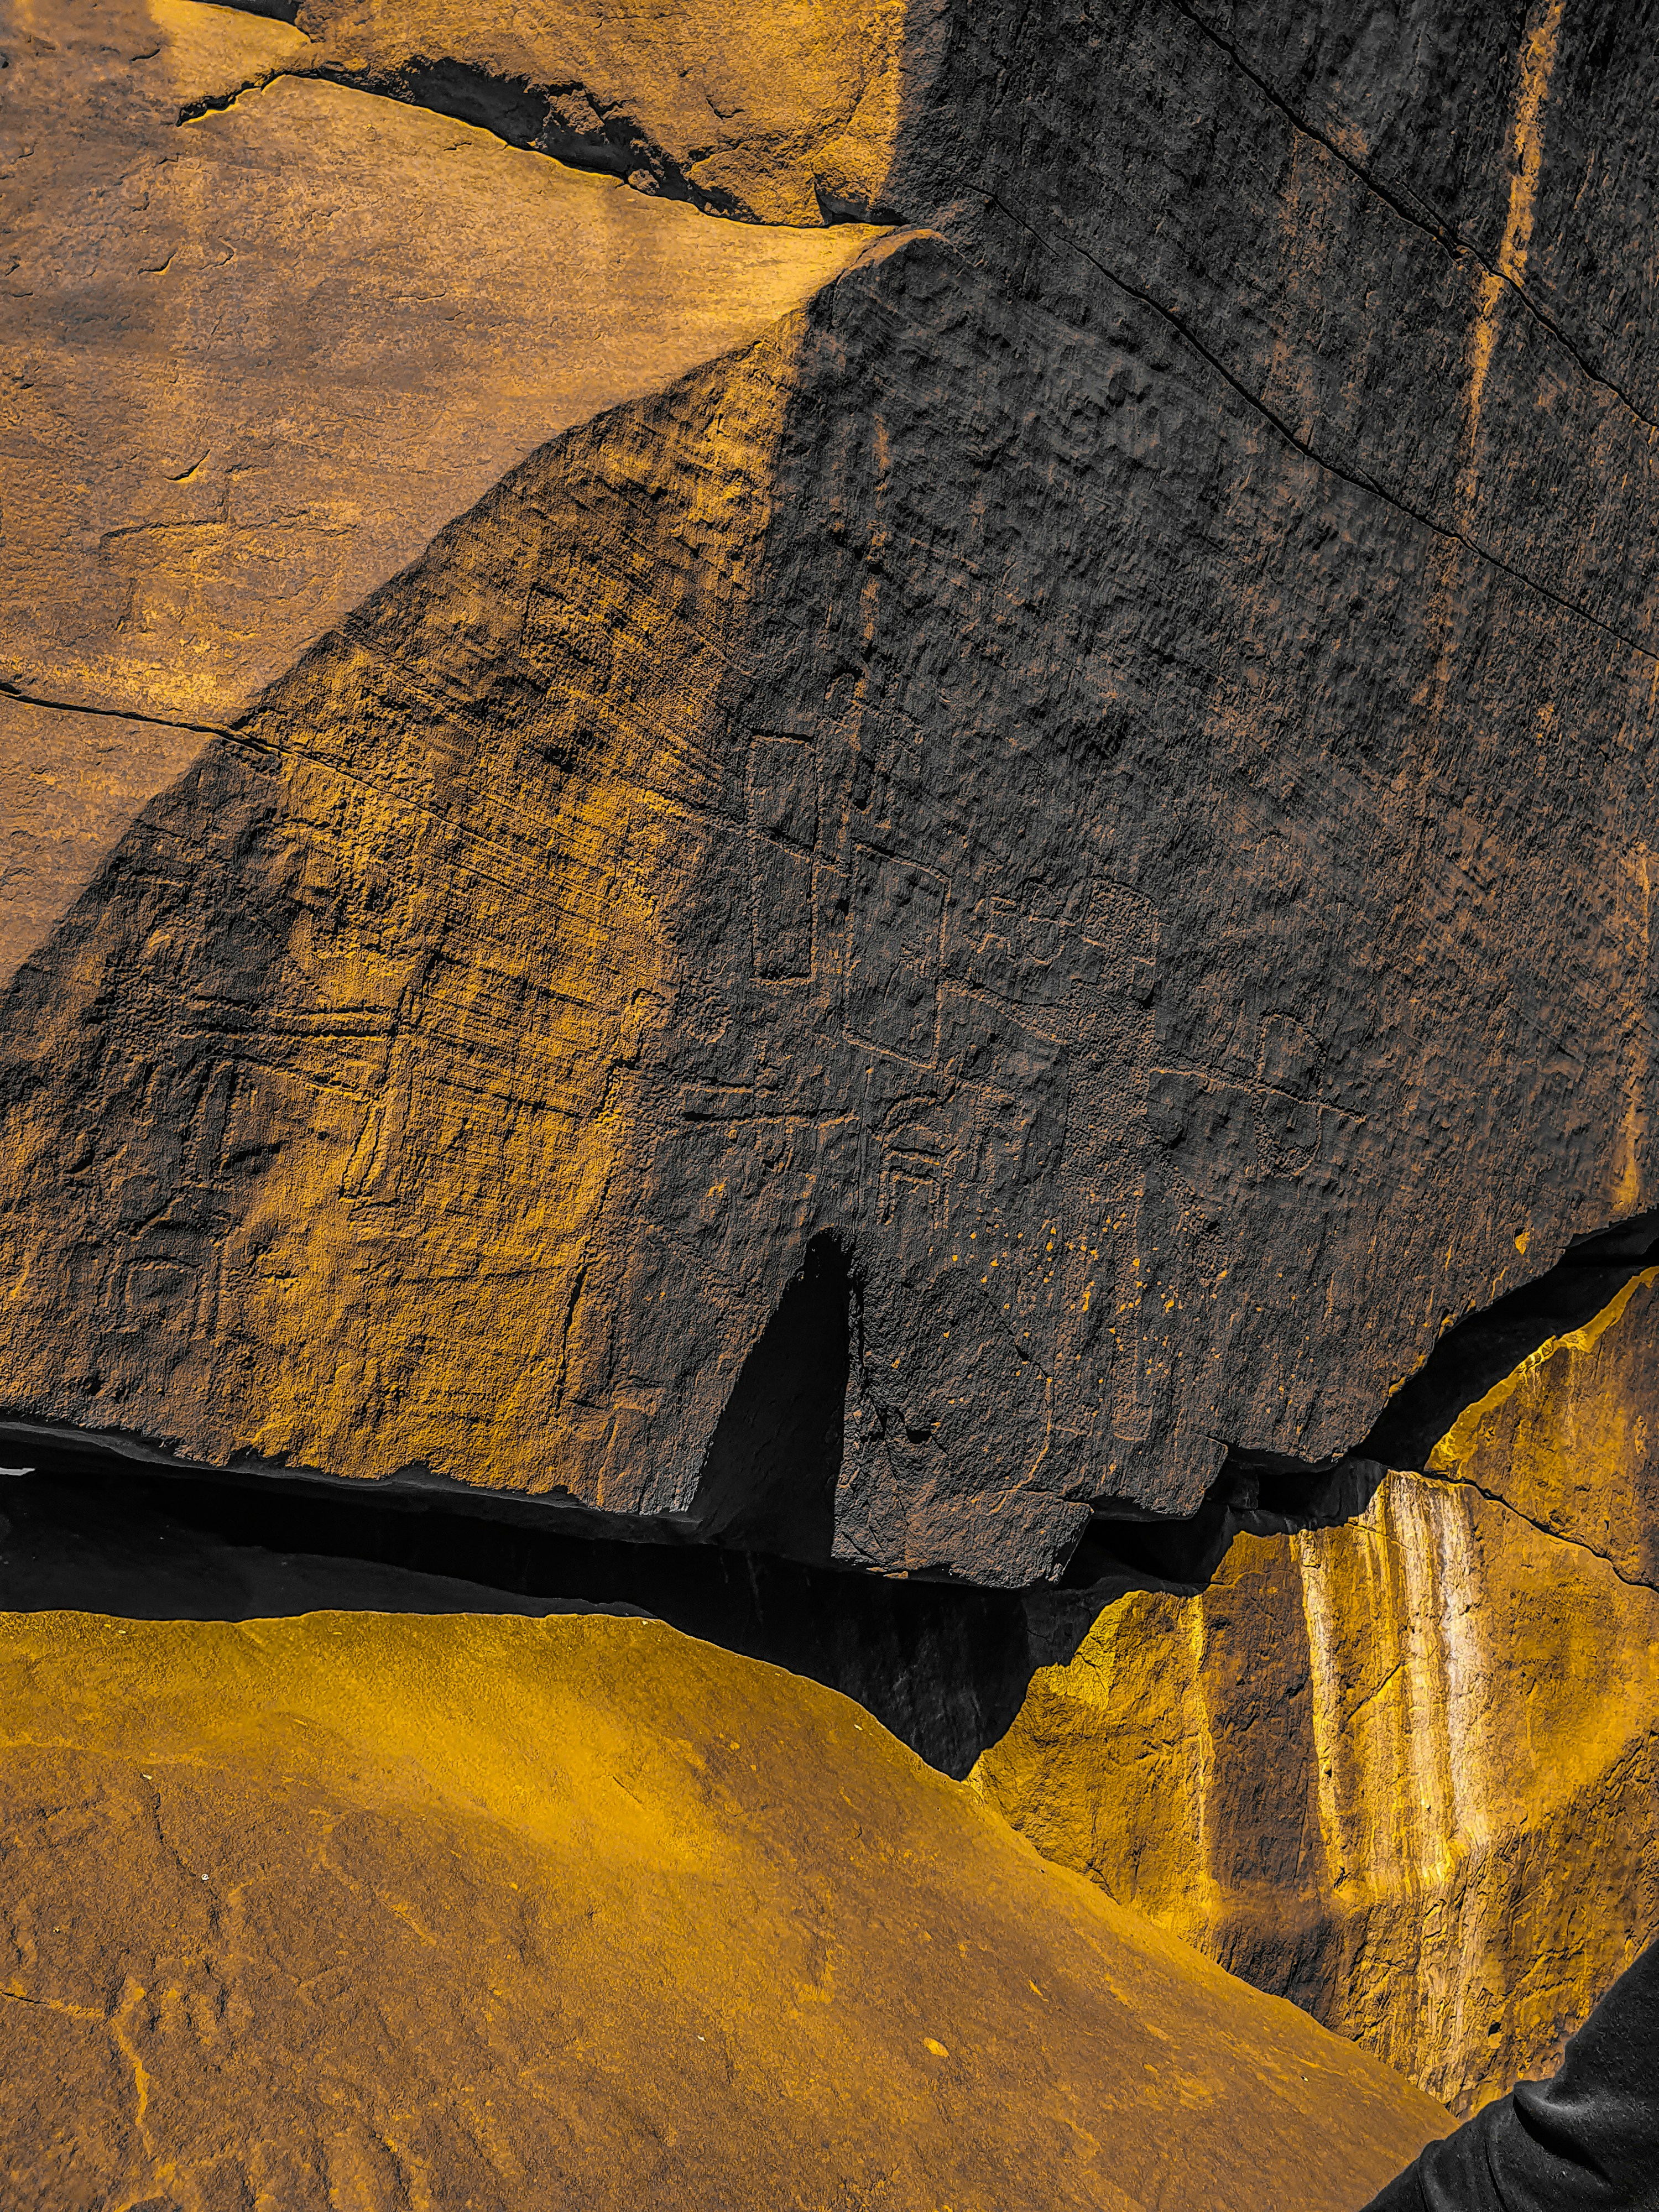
x=1401, y=1766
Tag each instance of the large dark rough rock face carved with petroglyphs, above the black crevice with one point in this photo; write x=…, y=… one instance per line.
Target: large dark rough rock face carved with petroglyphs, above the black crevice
x=1100, y=771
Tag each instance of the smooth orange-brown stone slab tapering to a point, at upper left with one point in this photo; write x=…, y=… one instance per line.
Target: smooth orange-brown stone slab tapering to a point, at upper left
x=258, y=357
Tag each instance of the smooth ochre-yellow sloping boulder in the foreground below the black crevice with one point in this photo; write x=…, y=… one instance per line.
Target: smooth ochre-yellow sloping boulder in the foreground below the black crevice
x=379, y=1912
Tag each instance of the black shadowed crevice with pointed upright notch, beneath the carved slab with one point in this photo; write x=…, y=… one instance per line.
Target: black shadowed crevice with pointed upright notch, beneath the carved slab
x=943, y=1667
